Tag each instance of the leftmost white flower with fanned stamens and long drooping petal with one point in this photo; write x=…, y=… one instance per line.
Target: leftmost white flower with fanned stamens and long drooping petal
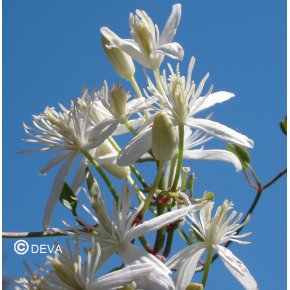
x=68, y=132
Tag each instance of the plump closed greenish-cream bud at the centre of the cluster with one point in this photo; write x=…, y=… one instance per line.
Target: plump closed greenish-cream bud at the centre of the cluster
x=164, y=138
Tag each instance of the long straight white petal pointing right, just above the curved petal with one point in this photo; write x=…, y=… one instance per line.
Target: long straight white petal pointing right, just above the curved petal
x=220, y=131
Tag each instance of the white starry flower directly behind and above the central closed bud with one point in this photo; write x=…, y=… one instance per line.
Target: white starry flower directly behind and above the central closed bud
x=179, y=100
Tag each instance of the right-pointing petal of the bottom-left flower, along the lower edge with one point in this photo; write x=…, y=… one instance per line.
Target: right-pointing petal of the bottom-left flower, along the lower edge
x=122, y=277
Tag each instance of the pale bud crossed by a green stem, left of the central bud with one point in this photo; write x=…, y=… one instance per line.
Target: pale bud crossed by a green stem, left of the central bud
x=117, y=171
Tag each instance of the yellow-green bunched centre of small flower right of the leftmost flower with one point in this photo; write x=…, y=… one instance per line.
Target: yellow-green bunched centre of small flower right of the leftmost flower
x=118, y=99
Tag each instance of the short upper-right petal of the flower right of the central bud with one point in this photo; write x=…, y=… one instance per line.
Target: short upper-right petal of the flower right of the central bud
x=211, y=100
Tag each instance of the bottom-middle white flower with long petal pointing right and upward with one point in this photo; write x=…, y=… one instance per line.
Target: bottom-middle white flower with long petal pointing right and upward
x=116, y=232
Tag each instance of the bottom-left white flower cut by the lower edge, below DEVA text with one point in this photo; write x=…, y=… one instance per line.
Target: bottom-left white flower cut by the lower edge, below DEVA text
x=69, y=272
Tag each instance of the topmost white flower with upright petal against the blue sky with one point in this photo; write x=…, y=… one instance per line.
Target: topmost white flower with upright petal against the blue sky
x=146, y=47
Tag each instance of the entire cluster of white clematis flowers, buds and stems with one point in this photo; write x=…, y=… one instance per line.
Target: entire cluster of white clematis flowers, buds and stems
x=164, y=130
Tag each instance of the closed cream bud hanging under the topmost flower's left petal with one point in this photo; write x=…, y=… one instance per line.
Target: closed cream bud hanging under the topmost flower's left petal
x=121, y=61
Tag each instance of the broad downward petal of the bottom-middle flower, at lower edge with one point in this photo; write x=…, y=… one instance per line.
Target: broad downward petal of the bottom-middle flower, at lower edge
x=158, y=279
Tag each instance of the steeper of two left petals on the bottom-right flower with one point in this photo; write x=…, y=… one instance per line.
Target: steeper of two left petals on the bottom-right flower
x=186, y=271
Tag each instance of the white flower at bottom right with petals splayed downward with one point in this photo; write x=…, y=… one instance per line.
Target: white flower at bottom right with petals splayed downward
x=213, y=232
